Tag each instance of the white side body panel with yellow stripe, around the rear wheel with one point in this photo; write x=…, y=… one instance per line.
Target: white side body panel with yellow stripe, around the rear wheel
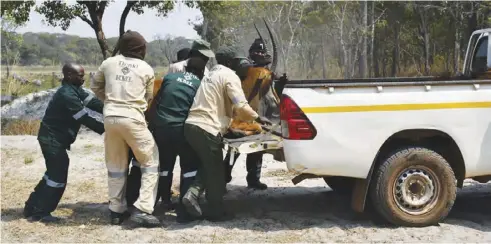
x=353, y=123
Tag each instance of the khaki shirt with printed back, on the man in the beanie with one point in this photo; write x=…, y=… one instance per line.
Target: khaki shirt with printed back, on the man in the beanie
x=125, y=85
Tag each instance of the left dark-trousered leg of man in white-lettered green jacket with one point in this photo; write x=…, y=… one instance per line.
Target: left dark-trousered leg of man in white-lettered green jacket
x=167, y=156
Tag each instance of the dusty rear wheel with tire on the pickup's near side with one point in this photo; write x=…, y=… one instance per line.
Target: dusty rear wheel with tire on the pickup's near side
x=414, y=187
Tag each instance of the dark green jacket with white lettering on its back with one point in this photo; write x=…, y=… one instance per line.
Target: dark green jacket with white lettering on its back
x=174, y=99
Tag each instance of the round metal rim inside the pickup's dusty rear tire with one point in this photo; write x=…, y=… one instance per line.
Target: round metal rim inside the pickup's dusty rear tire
x=416, y=190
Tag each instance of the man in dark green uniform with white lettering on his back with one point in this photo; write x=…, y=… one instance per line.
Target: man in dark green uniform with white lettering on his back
x=172, y=104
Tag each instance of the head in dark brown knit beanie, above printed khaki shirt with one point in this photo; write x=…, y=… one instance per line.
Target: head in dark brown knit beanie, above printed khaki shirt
x=133, y=45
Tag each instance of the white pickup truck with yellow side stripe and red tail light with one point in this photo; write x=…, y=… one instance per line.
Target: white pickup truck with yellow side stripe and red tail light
x=402, y=144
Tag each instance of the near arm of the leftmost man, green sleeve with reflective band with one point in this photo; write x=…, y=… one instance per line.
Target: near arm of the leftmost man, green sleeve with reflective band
x=75, y=107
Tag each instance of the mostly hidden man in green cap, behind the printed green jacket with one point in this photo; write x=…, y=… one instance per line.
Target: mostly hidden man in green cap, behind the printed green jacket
x=200, y=49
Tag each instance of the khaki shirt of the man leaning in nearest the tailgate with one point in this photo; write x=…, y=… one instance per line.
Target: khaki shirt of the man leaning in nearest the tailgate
x=218, y=99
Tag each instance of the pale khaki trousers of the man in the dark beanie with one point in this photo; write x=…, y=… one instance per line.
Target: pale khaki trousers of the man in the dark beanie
x=122, y=133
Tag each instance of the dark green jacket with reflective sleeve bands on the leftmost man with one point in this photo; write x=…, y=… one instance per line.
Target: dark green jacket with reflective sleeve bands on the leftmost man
x=66, y=112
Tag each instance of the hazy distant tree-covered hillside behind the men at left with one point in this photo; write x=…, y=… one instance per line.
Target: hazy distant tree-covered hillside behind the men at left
x=52, y=49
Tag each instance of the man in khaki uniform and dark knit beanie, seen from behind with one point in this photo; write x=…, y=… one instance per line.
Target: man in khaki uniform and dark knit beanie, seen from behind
x=125, y=83
